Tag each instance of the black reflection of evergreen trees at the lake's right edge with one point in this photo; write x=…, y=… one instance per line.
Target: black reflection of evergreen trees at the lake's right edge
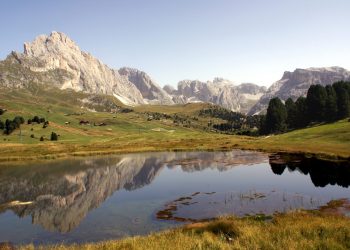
x=321, y=172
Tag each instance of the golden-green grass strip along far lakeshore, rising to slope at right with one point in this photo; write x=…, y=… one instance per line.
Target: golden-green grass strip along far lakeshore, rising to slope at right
x=330, y=141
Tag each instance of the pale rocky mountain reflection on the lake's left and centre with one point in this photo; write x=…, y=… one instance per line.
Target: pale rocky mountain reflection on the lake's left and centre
x=64, y=192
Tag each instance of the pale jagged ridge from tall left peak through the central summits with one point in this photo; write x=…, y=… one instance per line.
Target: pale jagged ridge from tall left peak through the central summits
x=57, y=60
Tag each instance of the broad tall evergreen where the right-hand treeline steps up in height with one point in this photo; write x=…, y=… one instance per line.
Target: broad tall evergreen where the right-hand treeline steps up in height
x=316, y=102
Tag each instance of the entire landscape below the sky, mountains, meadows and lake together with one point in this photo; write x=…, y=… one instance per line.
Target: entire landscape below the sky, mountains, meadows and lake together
x=96, y=157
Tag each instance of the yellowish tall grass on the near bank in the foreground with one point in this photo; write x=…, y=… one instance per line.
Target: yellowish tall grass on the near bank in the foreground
x=299, y=230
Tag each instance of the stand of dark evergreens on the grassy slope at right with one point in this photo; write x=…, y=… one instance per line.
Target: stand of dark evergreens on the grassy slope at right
x=322, y=104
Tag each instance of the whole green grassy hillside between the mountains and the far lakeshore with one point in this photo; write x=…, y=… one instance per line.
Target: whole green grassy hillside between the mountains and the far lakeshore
x=147, y=128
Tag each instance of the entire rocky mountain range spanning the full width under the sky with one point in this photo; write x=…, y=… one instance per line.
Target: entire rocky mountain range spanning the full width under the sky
x=57, y=60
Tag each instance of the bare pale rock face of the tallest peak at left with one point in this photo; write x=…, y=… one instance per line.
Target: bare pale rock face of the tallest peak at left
x=82, y=71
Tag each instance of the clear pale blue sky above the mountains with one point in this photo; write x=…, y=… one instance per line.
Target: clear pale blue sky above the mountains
x=244, y=41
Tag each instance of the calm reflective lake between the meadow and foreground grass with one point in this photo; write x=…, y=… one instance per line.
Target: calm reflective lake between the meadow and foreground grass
x=98, y=198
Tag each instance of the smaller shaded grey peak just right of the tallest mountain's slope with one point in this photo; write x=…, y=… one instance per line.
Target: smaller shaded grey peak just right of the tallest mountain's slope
x=150, y=90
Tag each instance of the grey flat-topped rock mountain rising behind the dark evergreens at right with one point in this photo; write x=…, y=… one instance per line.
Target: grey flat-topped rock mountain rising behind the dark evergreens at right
x=295, y=84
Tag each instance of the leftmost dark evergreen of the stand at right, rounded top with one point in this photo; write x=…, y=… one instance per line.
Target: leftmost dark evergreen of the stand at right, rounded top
x=276, y=116
